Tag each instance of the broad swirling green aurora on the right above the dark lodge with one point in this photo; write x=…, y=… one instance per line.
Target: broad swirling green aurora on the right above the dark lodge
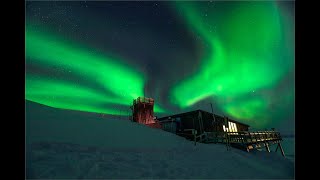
x=251, y=50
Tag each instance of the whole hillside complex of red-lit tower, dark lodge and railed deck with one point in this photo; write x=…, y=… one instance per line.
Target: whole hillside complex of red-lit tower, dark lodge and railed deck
x=202, y=126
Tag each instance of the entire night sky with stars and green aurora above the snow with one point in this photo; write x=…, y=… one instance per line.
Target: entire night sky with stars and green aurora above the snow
x=99, y=56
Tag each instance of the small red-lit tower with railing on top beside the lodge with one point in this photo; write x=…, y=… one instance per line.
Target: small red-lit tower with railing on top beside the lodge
x=142, y=110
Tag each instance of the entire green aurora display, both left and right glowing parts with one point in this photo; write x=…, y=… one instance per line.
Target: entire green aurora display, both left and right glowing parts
x=248, y=52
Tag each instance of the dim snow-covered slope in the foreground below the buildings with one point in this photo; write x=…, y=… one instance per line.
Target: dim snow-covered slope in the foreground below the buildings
x=68, y=144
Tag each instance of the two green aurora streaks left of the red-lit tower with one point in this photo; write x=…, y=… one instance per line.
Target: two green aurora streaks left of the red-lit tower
x=47, y=50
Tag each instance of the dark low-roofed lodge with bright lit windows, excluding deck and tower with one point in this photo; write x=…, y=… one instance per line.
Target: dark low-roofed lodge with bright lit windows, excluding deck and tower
x=201, y=121
